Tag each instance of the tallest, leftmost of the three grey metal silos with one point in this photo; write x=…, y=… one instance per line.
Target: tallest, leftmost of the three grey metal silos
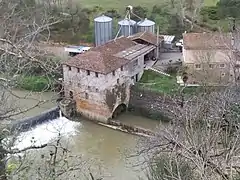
x=103, y=29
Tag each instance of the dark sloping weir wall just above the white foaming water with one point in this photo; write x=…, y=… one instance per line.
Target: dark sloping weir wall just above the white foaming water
x=30, y=122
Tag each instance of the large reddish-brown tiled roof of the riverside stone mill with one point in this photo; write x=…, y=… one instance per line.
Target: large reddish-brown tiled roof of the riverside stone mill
x=101, y=58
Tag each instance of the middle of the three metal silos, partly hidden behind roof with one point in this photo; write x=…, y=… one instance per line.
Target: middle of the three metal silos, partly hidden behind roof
x=127, y=27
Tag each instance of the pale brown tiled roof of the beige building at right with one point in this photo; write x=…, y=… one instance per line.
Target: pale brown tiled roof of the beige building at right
x=206, y=41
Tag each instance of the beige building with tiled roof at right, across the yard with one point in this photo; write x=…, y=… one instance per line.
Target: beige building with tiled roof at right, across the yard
x=208, y=58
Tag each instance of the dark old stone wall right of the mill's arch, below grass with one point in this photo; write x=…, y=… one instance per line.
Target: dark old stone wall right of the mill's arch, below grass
x=151, y=104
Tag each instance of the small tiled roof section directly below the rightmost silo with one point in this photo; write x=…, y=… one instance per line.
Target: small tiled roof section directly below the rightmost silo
x=147, y=36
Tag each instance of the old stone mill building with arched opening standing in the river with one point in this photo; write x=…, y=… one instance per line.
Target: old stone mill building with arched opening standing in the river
x=99, y=80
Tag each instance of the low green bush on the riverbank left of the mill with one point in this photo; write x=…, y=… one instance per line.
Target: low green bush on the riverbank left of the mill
x=34, y=83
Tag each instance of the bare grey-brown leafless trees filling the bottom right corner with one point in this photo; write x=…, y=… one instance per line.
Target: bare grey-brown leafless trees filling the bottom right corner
x=204, y=133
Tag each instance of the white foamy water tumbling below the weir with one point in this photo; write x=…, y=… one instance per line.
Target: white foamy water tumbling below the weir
x=46, y=133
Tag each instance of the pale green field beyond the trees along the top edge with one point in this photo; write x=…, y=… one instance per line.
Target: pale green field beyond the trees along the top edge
x=121, y=4
